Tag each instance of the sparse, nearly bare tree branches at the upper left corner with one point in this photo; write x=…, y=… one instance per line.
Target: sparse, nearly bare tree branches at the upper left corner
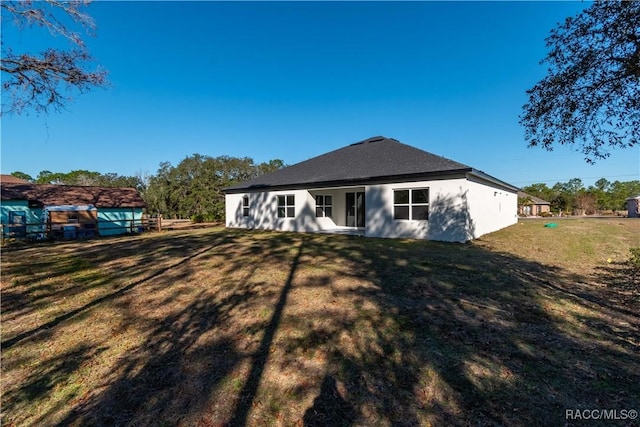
x=44, y=80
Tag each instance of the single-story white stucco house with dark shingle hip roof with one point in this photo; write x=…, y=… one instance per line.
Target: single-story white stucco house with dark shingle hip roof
x=378, y=187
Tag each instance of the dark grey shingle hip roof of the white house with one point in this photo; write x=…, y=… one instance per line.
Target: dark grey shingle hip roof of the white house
x=371, y=159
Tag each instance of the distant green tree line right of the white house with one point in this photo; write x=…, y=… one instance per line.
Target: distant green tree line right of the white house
x=574, y=197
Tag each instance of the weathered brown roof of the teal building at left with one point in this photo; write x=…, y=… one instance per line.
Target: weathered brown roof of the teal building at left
x=52, y=195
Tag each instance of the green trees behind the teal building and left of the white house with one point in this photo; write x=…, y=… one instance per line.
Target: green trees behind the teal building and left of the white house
x=191, y=189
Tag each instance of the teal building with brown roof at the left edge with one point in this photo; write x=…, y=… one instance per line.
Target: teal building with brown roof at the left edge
x=66, y=211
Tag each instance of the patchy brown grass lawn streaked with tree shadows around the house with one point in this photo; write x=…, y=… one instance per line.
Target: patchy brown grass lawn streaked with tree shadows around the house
x=228, y=327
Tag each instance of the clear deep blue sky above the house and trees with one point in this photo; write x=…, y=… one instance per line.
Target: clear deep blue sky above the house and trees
x=293, y=80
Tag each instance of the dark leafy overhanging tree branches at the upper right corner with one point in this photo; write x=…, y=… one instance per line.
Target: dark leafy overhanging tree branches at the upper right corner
x=590, y=97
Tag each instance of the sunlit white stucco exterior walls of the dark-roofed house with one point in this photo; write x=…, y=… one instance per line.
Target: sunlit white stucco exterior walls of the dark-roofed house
x=459, y=210
